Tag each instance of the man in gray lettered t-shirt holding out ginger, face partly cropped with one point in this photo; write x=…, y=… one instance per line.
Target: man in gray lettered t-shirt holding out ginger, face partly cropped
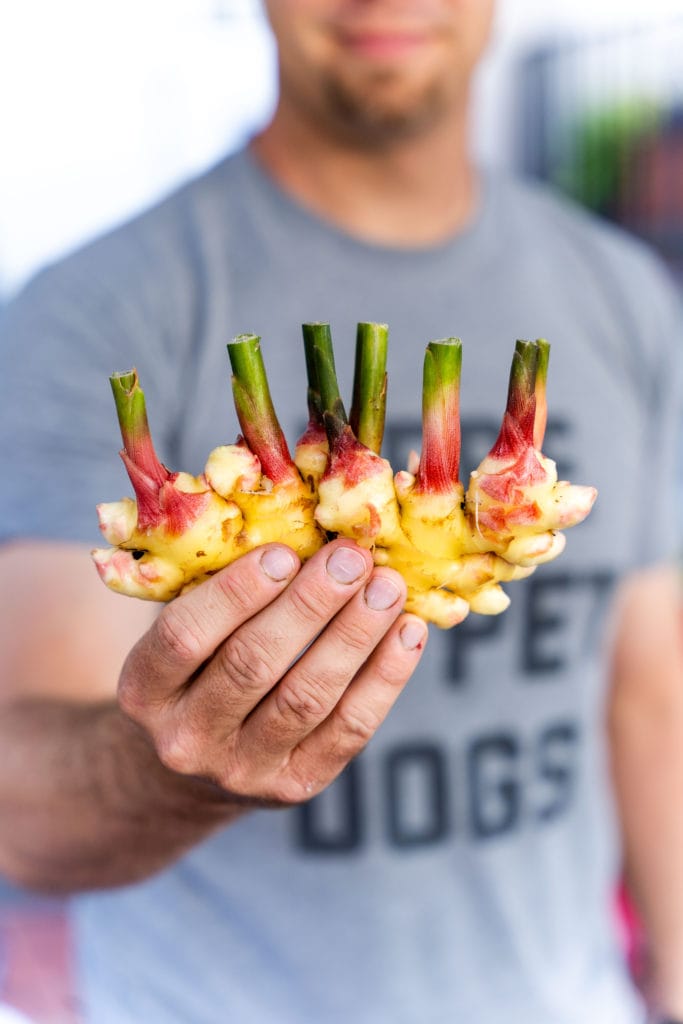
x=461, y=869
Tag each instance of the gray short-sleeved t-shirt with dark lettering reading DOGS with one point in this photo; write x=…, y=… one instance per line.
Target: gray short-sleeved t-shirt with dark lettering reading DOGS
x=463, y=868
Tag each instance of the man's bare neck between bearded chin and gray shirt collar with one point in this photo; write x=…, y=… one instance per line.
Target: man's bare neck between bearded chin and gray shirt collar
x=415, y=193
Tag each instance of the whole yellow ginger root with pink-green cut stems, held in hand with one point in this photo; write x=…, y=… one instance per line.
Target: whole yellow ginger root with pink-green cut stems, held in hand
x=454, y=549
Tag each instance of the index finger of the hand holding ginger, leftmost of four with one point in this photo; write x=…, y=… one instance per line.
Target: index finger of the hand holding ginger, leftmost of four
x=191, y=628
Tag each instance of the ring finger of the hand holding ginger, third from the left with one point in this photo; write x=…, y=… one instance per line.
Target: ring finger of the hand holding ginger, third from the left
x=312, y=690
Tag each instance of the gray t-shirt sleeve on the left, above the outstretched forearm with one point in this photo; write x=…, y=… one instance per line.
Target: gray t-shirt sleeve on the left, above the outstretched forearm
x=107, y=309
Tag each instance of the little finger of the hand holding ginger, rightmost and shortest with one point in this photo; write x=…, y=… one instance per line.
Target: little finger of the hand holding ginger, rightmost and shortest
x=366, y=704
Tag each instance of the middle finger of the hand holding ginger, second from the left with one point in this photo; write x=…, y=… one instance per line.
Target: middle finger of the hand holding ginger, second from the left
x=255, y=658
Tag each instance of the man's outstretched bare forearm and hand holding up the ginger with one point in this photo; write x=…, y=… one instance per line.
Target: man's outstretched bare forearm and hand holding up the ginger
x=267, y=679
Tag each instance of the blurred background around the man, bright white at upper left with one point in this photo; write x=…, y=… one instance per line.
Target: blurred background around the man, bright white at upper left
x=106, y=108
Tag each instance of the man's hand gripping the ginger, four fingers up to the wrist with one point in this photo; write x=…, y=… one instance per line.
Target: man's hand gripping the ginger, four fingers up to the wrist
x=269, y=678
